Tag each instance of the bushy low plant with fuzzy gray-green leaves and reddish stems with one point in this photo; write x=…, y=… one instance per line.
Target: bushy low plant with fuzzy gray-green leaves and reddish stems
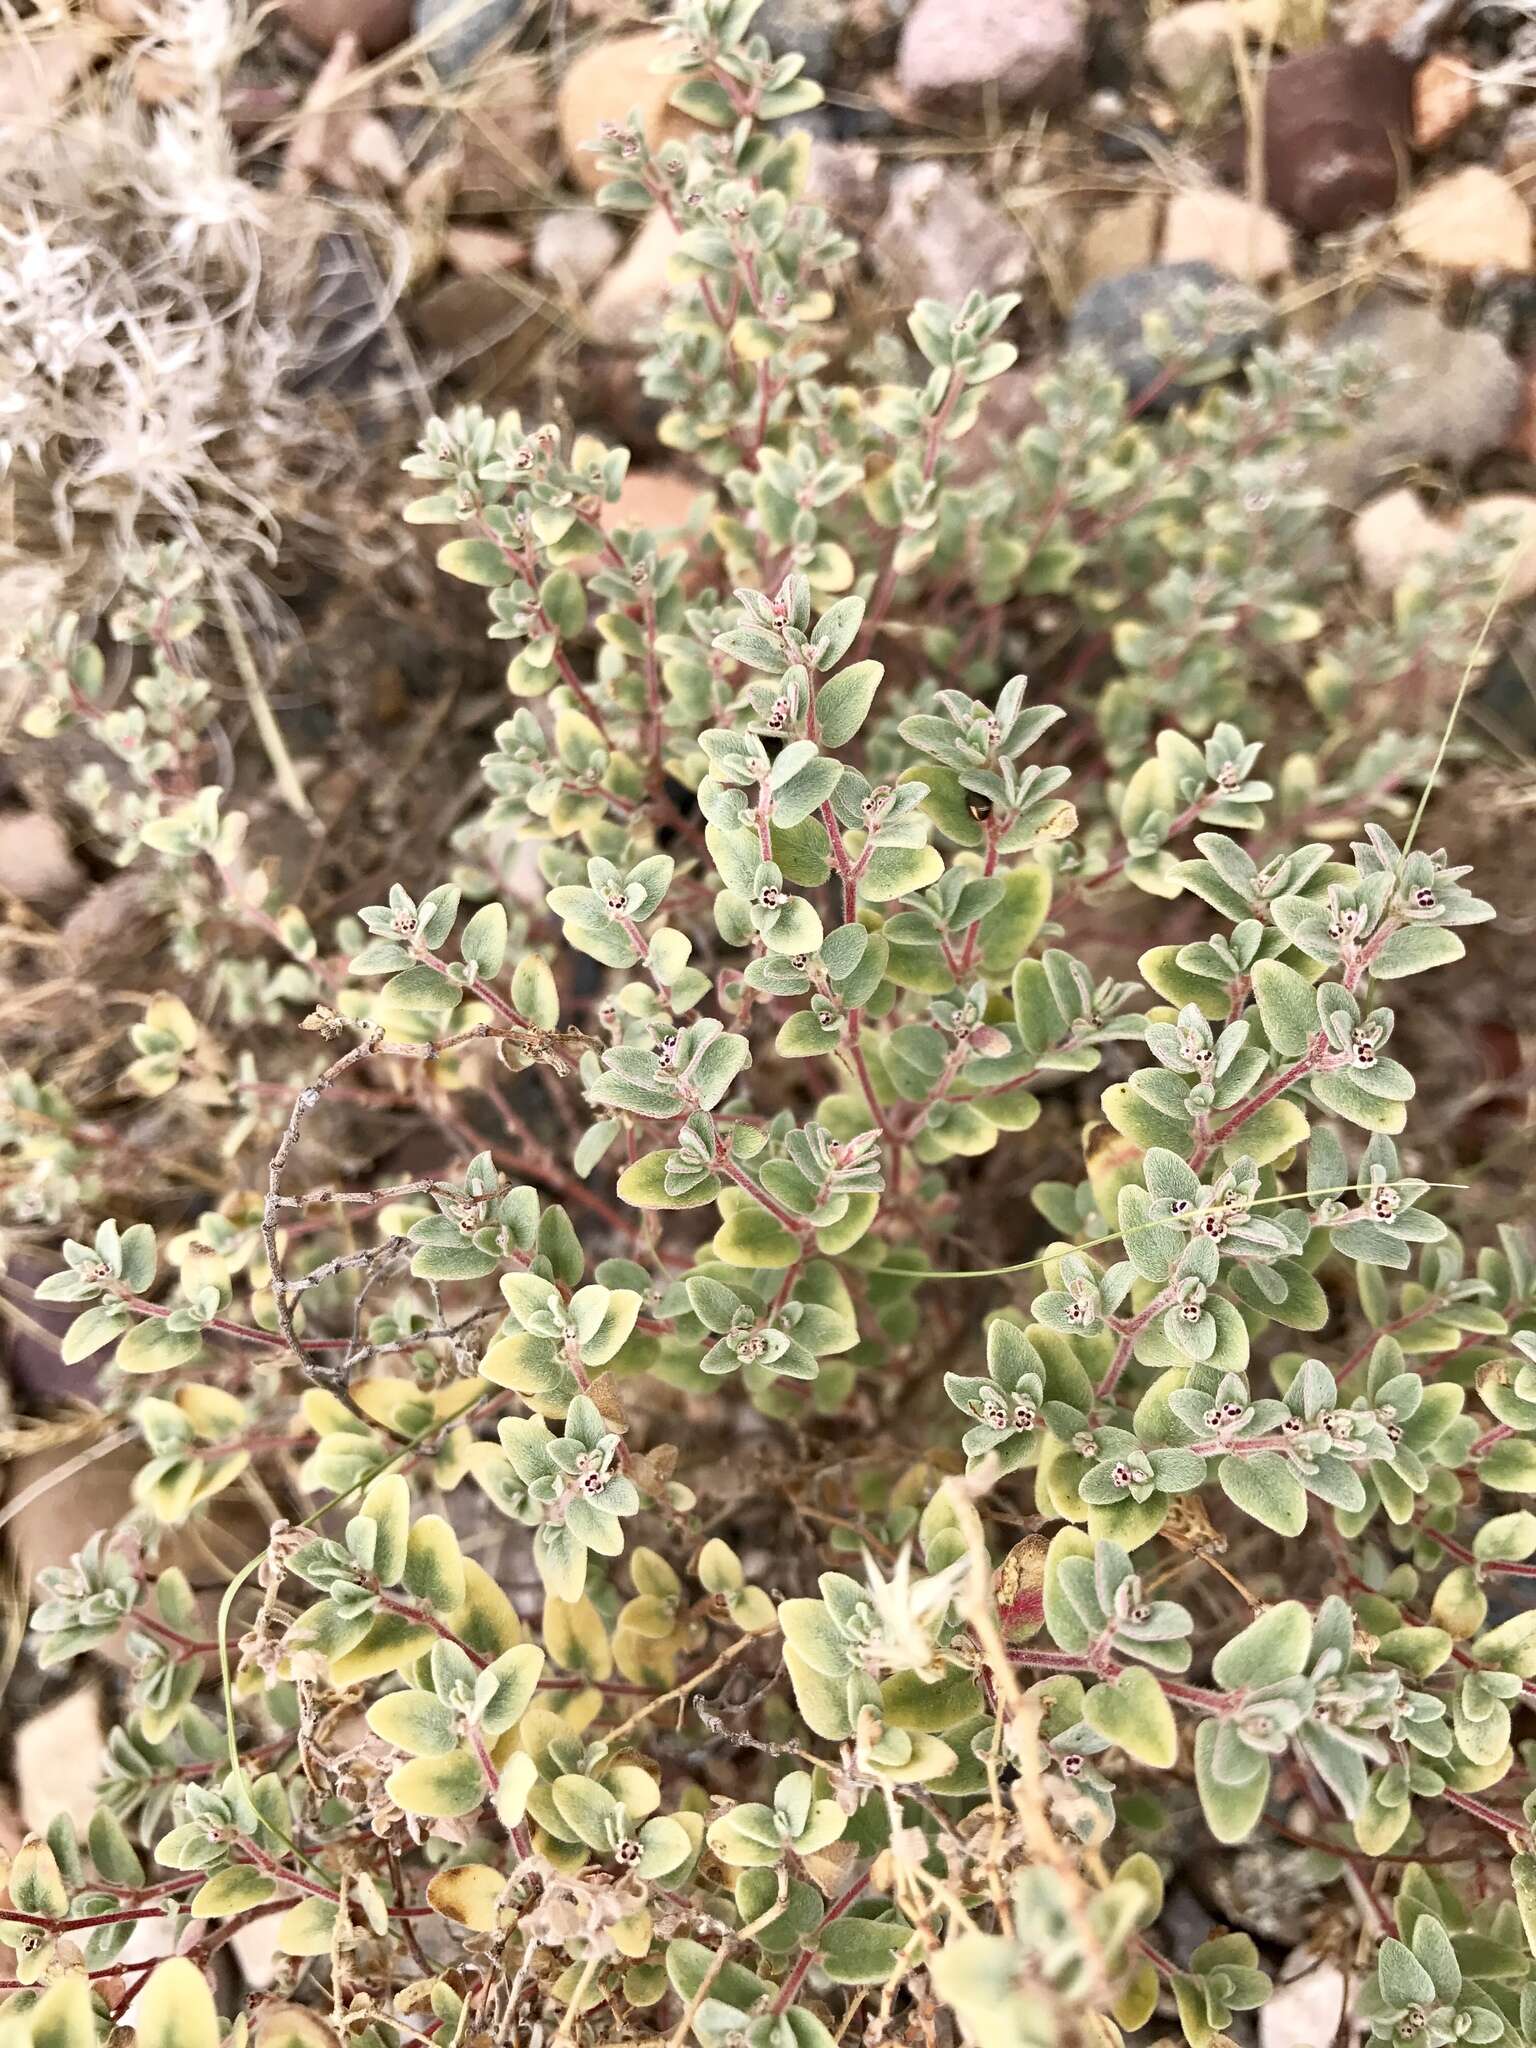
x=884, y=1619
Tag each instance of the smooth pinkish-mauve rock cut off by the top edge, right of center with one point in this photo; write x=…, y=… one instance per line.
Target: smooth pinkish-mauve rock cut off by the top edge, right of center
x=1027, y=52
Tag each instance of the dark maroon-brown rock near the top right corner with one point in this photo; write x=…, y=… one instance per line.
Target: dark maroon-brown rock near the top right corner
x=1336, y=124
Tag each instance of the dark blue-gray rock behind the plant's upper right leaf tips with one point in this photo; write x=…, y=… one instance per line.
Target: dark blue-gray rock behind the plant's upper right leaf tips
x=1111, y=316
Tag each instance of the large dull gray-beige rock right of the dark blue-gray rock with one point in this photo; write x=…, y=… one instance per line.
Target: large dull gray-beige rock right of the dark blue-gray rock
x=1453, y=394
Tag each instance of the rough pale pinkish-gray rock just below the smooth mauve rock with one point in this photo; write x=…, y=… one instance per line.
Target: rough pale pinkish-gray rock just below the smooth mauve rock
x=939, y=239
